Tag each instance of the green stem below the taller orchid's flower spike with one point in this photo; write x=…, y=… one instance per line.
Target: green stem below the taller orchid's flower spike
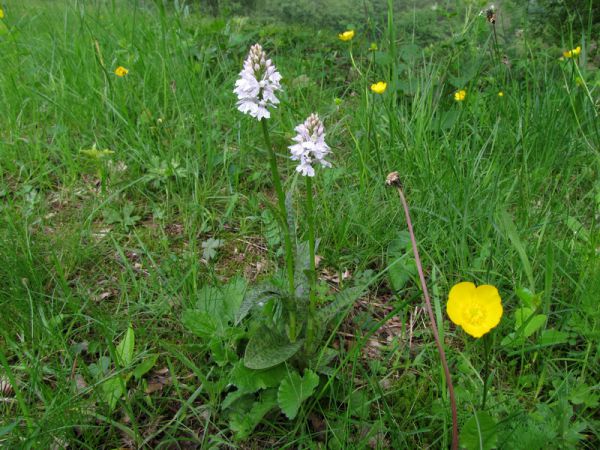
x=289, y=255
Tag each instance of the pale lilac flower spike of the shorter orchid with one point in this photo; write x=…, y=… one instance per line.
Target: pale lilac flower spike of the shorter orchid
x=310, y=146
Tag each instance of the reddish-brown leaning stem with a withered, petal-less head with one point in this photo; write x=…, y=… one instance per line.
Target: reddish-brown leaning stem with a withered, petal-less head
x=394, y=180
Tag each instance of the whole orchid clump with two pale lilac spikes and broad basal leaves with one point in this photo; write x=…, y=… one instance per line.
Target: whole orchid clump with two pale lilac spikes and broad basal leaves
x=267, y=338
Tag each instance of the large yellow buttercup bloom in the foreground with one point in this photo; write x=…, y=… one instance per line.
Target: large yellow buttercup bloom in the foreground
x=476, y=309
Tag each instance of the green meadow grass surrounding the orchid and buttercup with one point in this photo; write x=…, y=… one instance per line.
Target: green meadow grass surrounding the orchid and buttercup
x=503, y=190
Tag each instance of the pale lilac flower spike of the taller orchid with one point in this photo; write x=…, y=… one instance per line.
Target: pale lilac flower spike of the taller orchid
x=258, y=82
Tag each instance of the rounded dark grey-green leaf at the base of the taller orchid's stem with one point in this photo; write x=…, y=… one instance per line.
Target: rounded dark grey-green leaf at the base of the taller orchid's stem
x=266, y=348
